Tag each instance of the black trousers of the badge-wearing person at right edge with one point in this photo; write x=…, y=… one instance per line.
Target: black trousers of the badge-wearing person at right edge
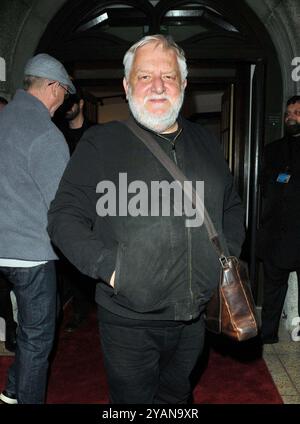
x=274, y=292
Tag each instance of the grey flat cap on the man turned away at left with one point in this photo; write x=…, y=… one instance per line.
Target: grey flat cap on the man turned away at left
x=46, y=66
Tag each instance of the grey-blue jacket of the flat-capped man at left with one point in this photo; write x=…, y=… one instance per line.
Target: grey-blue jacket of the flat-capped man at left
x=33, y=156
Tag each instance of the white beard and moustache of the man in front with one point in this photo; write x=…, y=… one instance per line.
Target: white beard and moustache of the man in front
x=149, y=120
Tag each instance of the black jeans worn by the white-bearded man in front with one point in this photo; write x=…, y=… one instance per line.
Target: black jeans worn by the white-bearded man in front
x=150, y=362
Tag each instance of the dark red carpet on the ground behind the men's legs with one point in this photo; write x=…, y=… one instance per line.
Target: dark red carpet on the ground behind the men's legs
x=77, y=374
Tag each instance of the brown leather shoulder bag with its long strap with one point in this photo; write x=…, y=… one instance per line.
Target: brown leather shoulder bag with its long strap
x=231, y=310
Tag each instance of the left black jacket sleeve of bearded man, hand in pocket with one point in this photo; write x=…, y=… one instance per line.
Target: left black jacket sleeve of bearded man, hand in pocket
x=72, y=215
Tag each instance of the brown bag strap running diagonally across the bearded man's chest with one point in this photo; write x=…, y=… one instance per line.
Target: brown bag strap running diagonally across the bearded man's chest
x=180, y=178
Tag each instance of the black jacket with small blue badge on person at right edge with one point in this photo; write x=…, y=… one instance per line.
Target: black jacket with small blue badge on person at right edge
x=279, y=232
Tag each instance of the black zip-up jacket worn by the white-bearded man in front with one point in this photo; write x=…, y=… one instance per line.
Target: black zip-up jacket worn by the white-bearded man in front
x=164, y=270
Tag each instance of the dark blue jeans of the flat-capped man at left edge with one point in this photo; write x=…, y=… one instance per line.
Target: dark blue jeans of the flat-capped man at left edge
x=35, y=291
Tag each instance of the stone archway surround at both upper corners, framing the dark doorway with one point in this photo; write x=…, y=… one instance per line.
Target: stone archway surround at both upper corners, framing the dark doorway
x=23, y=24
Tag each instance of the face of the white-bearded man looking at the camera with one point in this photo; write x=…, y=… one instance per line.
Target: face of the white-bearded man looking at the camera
x=155, y=91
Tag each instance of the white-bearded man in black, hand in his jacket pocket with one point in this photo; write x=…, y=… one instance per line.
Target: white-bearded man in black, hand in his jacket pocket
x=155, y=274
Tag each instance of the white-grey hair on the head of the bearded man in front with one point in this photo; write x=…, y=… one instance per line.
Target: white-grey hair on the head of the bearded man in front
x=167, y=43
